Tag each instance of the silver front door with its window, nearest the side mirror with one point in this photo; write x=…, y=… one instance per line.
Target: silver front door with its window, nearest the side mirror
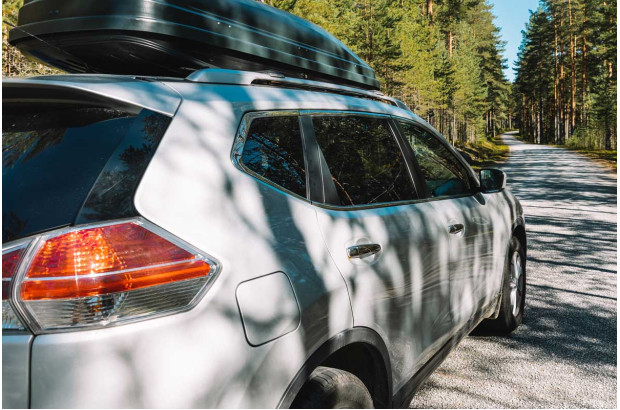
x=465, y=215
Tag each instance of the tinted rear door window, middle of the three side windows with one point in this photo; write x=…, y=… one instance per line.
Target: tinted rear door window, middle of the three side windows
x=364, y=159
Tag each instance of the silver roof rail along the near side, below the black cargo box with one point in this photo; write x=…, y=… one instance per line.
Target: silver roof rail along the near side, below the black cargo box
x=237, y=77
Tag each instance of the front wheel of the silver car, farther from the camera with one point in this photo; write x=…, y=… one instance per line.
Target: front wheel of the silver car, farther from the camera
x=512, y=304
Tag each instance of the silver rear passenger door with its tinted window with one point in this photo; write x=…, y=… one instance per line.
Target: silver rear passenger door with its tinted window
x=391, y=250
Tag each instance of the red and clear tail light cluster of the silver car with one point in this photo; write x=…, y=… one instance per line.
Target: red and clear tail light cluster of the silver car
x=109, y=274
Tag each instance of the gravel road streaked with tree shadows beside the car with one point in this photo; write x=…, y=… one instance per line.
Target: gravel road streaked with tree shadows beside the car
x=565, y=353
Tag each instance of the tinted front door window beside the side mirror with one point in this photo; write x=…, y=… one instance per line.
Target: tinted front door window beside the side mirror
x=444, y=174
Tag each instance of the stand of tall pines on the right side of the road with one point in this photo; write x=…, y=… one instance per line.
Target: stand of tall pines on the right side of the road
x=573, y=102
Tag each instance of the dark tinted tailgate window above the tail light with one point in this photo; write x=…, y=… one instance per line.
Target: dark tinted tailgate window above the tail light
x=50, y=161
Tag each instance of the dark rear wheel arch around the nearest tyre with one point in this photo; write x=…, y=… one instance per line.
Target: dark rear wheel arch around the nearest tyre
x=374, y=369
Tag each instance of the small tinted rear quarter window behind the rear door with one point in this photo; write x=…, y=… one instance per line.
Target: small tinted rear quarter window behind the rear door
x=273, y=149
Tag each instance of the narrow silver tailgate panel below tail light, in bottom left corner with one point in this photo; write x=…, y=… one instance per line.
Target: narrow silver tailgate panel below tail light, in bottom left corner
x=16, y=370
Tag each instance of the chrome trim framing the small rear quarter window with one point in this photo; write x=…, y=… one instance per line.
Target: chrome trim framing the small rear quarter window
x=241, y=138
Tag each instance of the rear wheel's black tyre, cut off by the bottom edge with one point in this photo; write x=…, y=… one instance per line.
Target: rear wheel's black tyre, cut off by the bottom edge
x=330, y=388
